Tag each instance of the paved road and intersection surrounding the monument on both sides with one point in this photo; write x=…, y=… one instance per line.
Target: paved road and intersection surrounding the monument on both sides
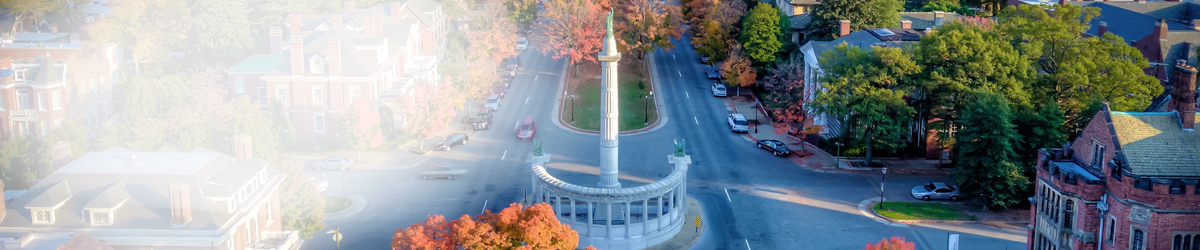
x=751, y=199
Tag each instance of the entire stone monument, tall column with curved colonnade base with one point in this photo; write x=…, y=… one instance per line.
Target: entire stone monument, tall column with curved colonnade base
x=608, y=216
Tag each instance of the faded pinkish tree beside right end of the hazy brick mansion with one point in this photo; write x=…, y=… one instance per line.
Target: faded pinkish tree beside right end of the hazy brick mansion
x=428, y=111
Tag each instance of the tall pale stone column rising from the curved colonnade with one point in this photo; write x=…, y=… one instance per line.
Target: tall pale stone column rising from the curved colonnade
x=609, y=110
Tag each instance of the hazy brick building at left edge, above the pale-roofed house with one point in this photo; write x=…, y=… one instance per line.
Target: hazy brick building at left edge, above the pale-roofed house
x=49, y=80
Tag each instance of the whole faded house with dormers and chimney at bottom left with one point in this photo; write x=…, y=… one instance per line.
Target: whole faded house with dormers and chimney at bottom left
x=155, y=200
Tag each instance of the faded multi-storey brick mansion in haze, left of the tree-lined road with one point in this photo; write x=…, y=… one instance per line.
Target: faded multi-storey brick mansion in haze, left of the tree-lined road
x=328, y=62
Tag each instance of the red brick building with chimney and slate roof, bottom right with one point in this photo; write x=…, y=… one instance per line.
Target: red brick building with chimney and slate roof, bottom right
x=1130, y=181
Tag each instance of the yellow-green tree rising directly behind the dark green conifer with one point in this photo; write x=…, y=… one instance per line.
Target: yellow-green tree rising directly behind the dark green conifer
x=958, y=61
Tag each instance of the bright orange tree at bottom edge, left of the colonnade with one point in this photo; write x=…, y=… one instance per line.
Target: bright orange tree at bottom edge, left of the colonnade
x=515, y=228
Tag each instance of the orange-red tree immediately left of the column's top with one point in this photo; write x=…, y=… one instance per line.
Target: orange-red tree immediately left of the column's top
x=574, y=29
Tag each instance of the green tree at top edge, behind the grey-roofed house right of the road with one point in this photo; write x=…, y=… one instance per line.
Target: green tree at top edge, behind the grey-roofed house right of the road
x=861, y=14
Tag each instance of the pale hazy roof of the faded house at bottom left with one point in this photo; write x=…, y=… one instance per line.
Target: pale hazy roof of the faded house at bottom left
x=140, y=192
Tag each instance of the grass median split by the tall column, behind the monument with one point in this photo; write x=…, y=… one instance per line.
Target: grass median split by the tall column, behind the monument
x=633, y=105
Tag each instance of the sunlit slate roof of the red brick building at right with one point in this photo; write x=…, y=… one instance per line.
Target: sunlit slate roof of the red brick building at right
x=1156, y=146
